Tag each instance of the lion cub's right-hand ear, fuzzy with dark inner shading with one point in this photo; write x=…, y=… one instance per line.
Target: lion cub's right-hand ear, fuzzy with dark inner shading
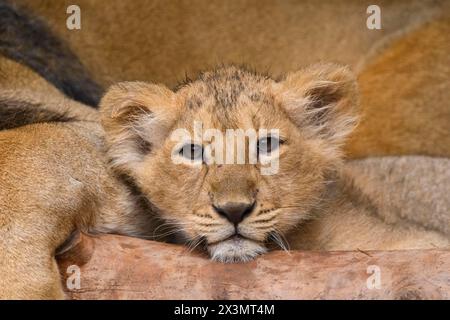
x=322, y=101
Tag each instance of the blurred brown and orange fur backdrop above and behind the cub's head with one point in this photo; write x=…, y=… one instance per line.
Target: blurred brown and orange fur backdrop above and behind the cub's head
x=403, y=68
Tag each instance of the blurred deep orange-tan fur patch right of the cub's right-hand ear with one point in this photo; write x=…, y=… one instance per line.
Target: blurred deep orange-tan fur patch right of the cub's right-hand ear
x=405, y=96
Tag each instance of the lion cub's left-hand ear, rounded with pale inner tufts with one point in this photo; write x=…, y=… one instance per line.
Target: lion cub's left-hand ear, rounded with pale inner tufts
x=136, y=117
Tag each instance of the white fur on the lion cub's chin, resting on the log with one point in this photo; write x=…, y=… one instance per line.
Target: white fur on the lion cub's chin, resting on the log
x=235, y=250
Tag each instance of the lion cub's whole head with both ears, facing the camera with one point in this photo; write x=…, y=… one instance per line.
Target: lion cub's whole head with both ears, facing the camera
x=235, y=193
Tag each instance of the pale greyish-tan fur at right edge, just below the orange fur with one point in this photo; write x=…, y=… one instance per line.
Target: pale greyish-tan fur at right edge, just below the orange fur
x=413, y=188
